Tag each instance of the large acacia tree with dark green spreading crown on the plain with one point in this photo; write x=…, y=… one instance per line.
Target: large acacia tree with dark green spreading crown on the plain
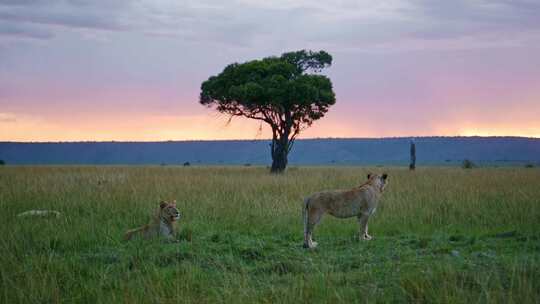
x=285, y=92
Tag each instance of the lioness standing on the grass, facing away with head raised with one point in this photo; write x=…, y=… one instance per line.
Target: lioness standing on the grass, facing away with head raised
x=360, y=201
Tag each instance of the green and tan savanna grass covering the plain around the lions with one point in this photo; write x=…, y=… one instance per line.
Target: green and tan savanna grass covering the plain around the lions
x=443, y=235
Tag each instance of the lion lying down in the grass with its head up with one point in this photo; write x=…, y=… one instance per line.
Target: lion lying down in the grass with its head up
x=163, y=225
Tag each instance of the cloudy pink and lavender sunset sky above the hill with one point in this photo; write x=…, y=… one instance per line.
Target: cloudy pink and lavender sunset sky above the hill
x=84, y=70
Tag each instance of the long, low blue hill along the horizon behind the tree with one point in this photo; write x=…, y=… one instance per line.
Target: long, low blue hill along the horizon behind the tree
x=357, y=151
